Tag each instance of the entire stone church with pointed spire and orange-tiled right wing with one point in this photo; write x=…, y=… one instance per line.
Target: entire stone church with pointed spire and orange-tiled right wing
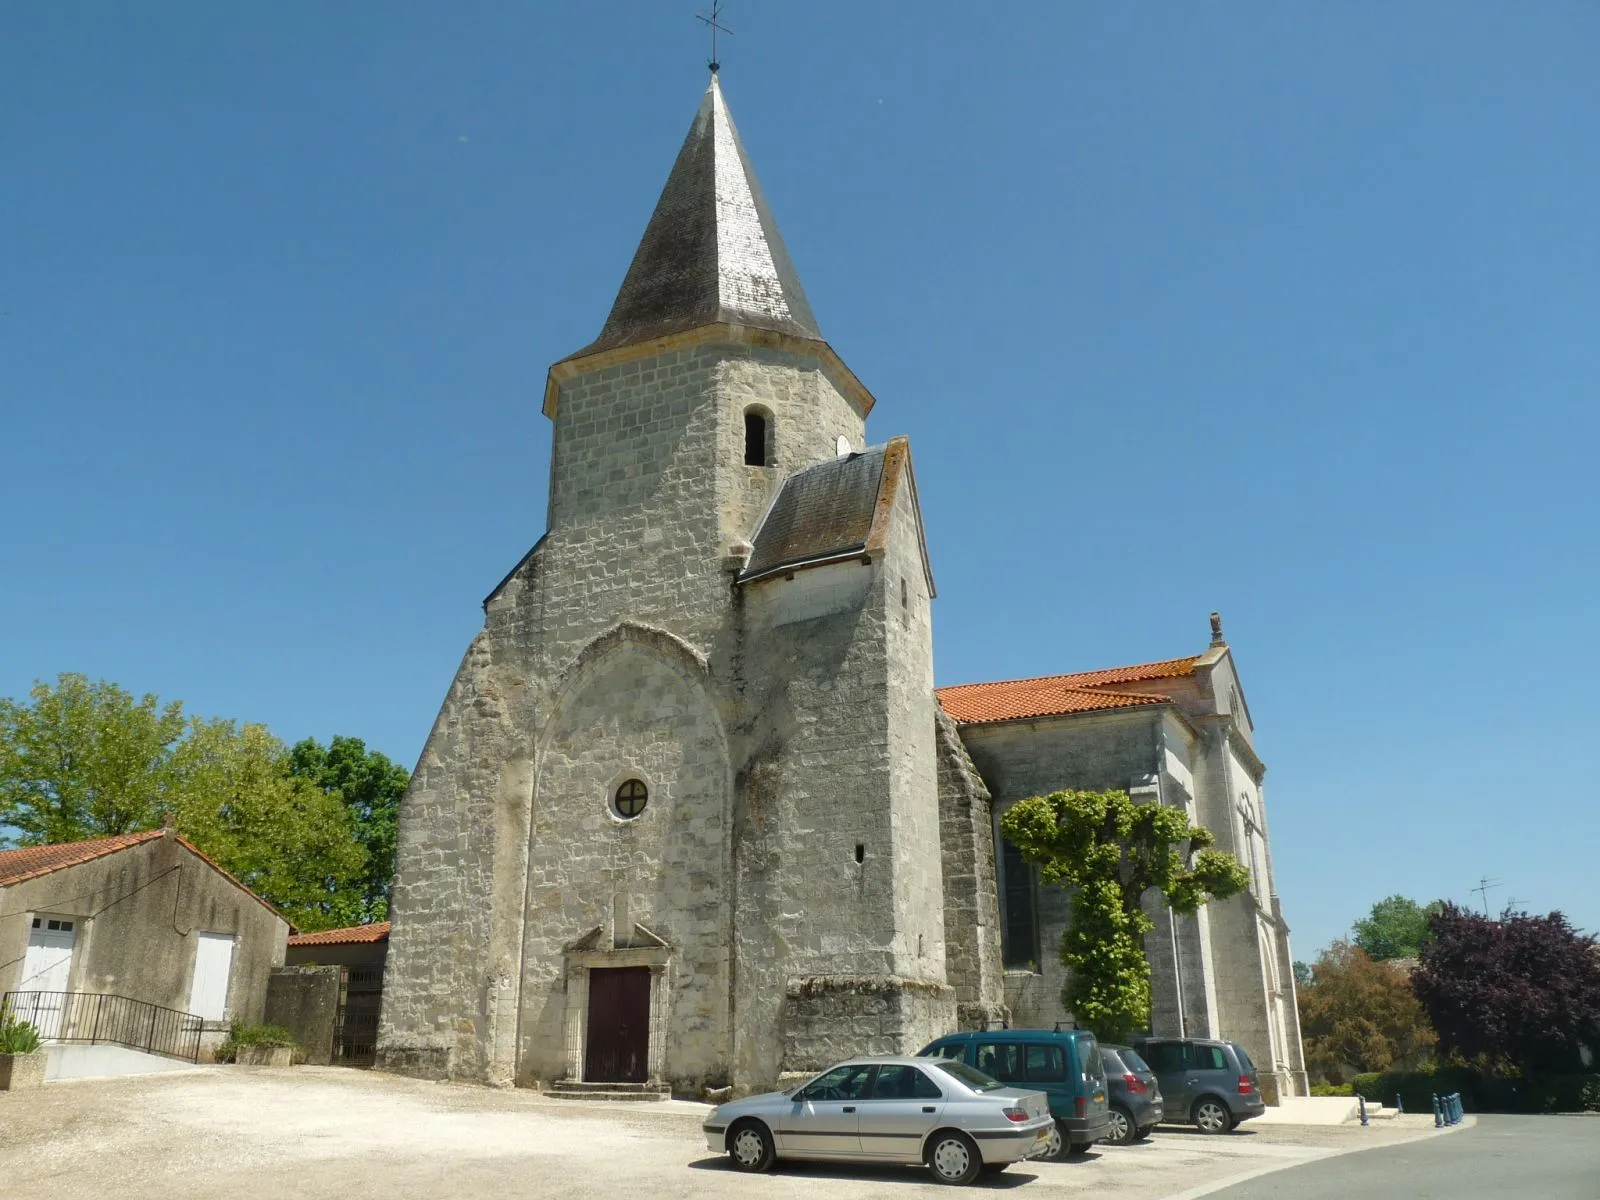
x=692, y=812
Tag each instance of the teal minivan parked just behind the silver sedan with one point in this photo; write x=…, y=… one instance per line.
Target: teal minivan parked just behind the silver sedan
x=1065, y=1065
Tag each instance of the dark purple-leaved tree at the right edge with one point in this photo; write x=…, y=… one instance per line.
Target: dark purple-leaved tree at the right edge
x=1521, y=991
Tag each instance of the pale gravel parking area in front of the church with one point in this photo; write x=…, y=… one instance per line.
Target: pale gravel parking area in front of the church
x=316, y=1132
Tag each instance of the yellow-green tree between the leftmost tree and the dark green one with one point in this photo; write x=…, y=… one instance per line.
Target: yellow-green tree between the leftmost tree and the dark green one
x=282, y=838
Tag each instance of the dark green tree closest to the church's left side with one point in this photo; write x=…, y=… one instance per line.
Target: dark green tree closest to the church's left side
x=370, y=786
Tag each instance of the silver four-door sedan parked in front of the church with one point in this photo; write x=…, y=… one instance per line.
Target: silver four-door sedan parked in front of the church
x=953, y=1118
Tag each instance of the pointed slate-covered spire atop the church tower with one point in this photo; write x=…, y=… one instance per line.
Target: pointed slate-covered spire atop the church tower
x=711, y=252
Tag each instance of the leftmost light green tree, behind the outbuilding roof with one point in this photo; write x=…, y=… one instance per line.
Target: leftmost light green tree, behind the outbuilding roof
x=86, y=759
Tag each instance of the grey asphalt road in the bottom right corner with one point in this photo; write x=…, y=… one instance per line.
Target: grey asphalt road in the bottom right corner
x=1537, y=1158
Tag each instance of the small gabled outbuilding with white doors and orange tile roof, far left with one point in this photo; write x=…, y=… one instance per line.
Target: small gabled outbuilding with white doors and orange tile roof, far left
x=137, y=940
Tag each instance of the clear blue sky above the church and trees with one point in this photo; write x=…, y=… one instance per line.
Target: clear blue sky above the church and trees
x=1284, y=310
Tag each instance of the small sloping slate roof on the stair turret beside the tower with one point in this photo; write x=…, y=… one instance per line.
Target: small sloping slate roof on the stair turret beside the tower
x=820, y=513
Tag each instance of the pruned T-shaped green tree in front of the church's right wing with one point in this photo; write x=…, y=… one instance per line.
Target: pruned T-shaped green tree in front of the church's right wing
x=1113, y=852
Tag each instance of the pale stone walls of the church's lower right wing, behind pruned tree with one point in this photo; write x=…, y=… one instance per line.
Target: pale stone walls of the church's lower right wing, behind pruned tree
x=1225, y=972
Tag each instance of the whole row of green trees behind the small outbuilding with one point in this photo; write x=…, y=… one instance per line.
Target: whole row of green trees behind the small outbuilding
x=86, y=759
